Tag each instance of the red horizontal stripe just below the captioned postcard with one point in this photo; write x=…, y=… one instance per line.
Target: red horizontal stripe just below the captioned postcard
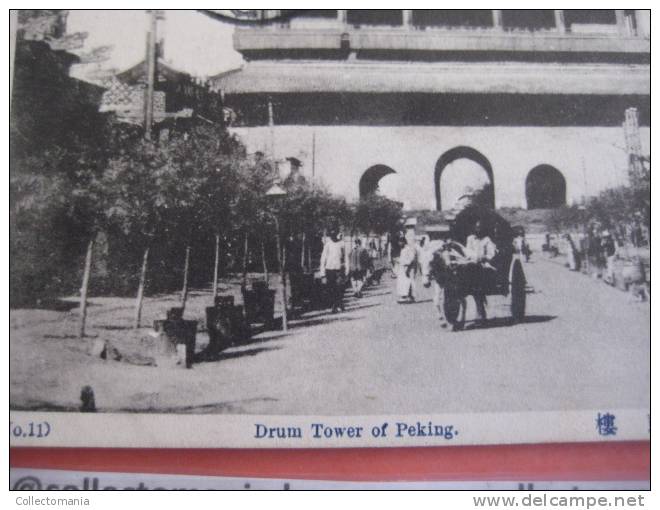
x=550, y=462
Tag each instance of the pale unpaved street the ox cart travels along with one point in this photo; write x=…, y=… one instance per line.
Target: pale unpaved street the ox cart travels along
x=583, y=346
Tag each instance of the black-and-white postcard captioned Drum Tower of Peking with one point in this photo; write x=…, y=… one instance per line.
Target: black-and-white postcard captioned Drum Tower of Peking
x=329, y=228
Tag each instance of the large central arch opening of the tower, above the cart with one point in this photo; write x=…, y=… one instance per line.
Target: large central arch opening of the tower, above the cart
x=463, y=172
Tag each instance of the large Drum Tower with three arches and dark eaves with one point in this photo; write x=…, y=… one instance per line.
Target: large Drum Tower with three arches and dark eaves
x=534, y=100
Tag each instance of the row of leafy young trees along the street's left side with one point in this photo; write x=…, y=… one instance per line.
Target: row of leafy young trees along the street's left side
x=141, y=208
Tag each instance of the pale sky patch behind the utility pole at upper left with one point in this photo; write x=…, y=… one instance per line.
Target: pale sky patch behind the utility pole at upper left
x=194, y=42
